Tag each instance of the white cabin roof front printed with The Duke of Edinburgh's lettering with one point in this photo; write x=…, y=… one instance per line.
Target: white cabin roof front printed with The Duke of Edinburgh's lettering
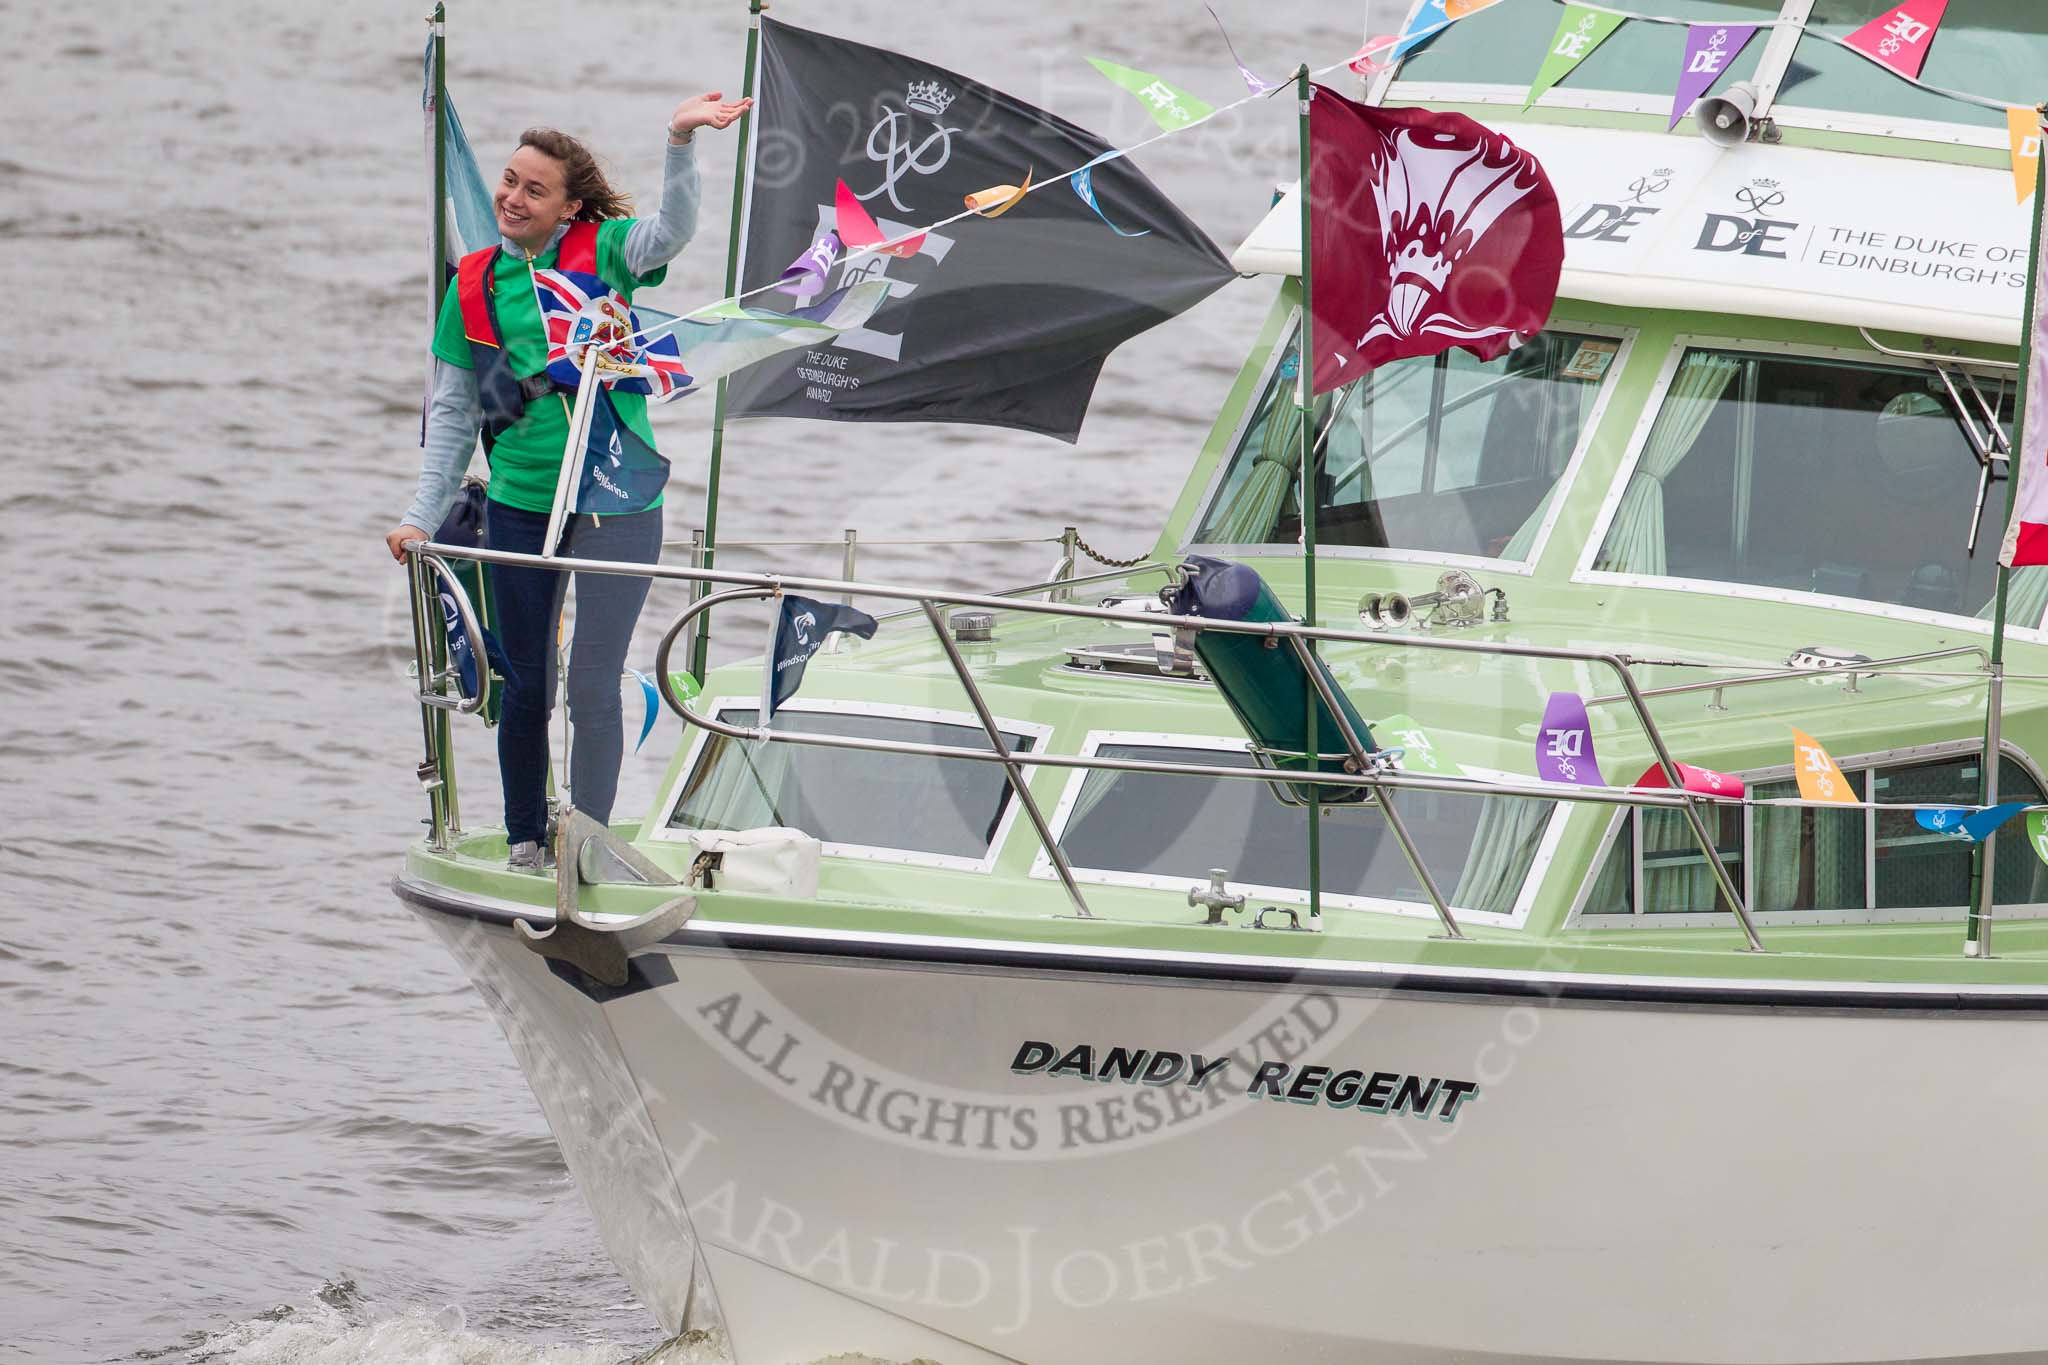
x=1658, y=222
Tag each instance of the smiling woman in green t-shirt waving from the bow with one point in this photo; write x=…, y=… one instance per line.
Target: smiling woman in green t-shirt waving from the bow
x=558, y=216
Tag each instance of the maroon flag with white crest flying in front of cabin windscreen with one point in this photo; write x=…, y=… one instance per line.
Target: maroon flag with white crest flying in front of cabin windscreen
x=1426, y=230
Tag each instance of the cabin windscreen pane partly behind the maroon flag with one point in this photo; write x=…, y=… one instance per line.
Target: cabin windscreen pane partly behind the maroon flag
x=1441, y=453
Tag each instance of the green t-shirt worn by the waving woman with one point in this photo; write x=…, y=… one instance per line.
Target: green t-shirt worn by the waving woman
x=527, y=457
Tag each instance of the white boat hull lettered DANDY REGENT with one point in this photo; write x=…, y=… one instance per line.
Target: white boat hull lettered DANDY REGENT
x=873, y=1161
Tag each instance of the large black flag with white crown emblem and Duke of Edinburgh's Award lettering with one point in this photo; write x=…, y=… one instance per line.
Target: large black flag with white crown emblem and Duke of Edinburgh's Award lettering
x=992, y=320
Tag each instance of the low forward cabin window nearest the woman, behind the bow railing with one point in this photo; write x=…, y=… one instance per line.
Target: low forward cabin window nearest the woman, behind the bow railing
x=851, y=797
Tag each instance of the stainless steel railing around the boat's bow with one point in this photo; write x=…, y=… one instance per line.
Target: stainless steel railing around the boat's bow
x=429, y=564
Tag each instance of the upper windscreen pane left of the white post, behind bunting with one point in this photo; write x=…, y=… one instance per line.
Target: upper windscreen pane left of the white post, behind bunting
x=1506, y=44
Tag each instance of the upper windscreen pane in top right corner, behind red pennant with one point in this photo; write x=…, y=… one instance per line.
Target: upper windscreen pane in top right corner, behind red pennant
x=1992, y=48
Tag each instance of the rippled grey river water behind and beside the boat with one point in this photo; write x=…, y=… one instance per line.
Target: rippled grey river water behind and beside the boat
x=249, y=1108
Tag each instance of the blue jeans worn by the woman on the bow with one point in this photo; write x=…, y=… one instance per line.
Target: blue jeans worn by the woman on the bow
x=527, y=607
